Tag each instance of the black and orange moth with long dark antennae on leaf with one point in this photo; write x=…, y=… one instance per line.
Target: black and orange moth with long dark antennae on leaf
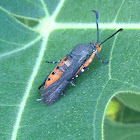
x=70, y=67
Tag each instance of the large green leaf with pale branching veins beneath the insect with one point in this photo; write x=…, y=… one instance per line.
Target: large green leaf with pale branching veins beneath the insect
x=61, y=26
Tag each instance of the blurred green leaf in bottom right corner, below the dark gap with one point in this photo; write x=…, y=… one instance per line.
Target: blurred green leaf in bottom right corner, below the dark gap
x=122, y=131
